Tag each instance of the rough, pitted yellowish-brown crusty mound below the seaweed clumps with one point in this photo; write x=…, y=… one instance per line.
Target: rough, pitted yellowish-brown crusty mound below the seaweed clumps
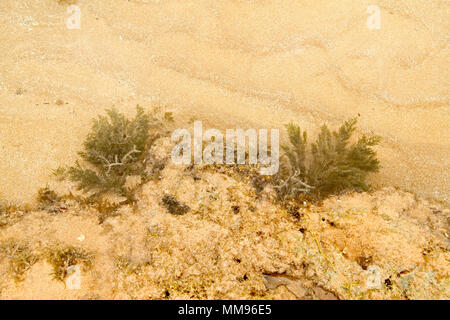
x=258, y=251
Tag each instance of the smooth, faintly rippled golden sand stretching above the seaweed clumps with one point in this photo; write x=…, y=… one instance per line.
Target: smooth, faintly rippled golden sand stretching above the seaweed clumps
x=232, y=63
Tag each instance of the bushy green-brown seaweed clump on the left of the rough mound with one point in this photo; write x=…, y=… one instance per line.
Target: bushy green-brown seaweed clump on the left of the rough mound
x=114, y=150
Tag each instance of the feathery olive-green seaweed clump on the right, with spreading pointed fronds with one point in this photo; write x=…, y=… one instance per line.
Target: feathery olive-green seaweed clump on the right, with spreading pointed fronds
x=332, y=166
